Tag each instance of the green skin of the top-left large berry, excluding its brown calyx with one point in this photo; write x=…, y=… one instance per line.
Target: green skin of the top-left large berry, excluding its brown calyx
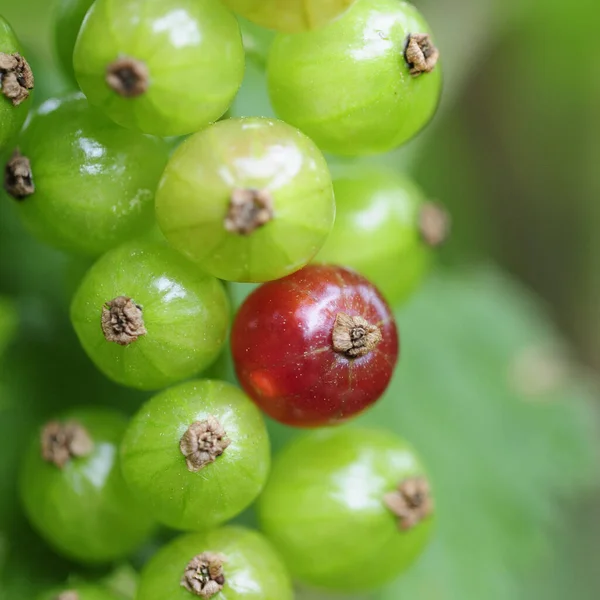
x=193, y=52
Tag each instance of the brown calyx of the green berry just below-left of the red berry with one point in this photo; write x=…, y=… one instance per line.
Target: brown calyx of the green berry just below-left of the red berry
x=202, y=443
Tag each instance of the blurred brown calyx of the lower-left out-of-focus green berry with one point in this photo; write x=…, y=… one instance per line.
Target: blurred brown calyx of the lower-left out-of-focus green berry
x=62, y=441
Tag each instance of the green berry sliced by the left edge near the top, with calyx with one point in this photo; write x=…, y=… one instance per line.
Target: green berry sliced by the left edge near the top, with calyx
x=16, y=83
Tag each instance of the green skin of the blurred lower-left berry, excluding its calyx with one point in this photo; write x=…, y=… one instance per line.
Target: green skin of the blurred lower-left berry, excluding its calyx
x=85, y=510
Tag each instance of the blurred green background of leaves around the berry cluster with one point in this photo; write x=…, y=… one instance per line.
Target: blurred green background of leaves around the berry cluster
x=496, y=386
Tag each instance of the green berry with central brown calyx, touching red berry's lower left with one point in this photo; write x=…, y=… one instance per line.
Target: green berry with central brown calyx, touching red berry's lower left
x=198, y=454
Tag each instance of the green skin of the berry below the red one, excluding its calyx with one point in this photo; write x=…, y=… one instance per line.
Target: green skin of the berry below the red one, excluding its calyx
x=324, y=509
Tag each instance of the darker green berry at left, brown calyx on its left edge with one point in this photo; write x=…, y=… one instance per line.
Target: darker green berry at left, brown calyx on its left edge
x=81, y=183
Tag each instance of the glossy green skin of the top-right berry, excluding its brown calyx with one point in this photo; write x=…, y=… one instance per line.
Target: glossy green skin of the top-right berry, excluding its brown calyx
x=348, y=86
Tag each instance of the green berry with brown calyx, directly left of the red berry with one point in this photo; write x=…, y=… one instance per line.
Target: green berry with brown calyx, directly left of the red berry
x=149, y=318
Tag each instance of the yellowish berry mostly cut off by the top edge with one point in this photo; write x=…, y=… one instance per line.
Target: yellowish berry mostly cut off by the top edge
x=290, y=16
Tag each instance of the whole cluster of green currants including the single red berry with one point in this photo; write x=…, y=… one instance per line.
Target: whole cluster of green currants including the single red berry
x=102, y=172
